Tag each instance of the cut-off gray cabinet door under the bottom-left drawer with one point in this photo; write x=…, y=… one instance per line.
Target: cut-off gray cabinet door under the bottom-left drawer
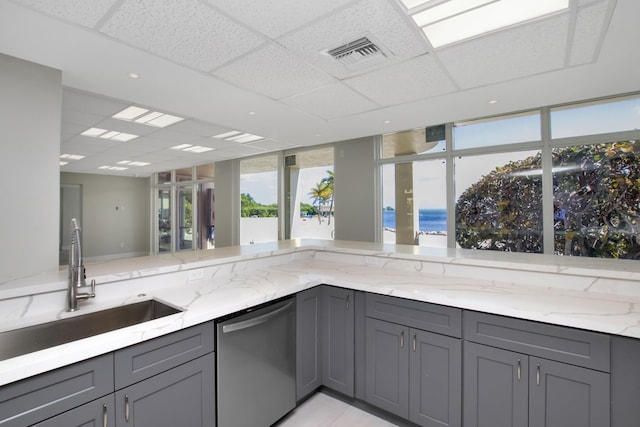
x=99, y=413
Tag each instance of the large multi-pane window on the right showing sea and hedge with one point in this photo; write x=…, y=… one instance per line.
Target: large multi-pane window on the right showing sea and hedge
x=560, y=180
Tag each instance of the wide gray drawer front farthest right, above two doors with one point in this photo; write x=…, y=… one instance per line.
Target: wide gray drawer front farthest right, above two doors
x=573, y=346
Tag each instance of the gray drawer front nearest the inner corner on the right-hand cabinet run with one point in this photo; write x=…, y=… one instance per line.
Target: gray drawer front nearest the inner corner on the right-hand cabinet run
x=421, y=315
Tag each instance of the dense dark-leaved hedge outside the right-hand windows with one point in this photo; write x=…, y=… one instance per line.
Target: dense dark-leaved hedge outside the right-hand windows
x=596, y=204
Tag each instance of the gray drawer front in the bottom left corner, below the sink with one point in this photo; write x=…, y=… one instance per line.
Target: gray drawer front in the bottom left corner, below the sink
x=37, y=398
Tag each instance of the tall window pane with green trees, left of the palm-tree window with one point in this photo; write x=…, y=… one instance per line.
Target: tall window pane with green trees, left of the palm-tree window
x=259, y=200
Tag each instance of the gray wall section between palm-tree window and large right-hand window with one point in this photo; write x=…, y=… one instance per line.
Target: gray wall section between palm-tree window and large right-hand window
x=355, y=191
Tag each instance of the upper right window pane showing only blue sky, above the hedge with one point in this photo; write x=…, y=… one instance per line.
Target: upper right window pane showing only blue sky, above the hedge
x=622, y=114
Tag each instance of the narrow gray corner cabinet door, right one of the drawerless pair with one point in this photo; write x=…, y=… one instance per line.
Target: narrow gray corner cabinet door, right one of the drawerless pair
x=338, y=344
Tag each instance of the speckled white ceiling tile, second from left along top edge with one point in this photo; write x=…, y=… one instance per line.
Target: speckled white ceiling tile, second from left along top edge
x=185, y=31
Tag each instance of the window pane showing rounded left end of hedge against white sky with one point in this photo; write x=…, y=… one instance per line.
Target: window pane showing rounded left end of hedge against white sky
x=499, y=202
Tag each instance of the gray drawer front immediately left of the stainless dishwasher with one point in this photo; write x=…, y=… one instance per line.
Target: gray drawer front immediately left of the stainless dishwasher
x=149, y=358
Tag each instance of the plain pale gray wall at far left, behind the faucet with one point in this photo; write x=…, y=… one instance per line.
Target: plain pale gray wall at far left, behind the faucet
x=30, y=111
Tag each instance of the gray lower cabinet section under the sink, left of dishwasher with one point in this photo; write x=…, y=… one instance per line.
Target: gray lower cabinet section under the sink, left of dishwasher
x=169, y=380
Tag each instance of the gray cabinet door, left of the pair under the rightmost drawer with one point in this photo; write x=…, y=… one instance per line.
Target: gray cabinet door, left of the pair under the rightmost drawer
x=496, y=386
